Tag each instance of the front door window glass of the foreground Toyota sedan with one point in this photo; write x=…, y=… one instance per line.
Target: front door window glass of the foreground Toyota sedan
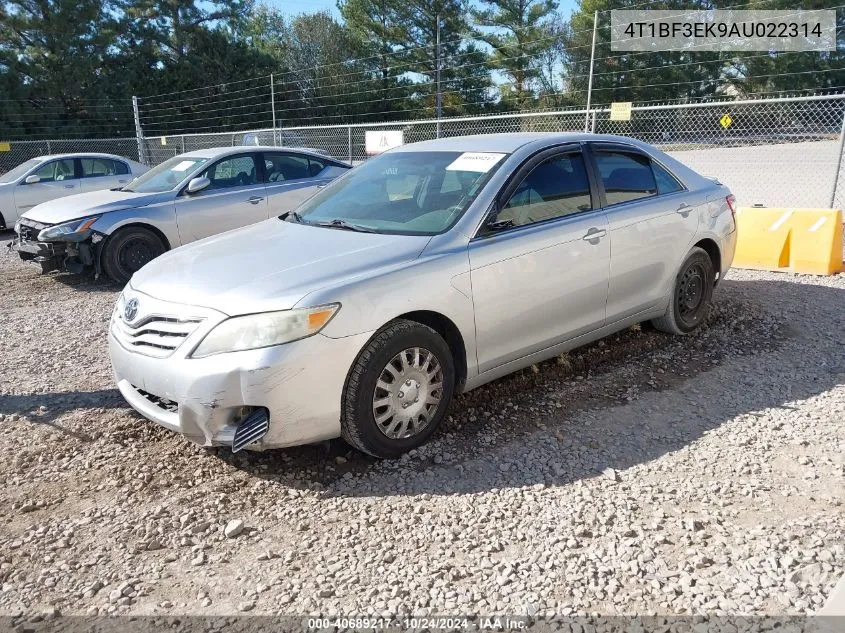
x=555, y=188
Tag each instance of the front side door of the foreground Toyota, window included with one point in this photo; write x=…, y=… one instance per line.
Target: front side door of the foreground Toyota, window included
x=539, y=275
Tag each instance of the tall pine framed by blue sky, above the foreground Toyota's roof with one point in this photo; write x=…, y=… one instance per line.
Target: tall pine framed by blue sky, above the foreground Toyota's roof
x=521, y=35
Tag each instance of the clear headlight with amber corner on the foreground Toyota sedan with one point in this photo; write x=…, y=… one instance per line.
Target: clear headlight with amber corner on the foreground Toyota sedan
x=264, y=330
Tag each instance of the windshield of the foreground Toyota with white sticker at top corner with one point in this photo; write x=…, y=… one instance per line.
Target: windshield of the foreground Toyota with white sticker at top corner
x=410, y=193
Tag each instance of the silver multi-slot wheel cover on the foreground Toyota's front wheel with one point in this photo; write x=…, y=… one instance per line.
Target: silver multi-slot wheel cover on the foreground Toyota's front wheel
x=407, y=393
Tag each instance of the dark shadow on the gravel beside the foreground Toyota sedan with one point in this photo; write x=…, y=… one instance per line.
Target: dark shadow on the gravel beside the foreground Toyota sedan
x=557, y=447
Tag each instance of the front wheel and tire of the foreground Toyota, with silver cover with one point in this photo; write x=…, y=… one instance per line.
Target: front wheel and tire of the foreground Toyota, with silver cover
x=380, y=382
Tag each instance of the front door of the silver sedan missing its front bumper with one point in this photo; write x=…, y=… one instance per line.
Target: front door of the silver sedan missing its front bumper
x=235, y=198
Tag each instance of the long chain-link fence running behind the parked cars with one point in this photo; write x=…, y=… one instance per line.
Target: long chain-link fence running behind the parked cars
x=772, y=152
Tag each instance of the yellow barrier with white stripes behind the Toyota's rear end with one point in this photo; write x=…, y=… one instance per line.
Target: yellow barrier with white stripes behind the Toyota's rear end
x=799, y=240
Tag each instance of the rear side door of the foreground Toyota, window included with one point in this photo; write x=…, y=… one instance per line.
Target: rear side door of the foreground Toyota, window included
x=652, y=220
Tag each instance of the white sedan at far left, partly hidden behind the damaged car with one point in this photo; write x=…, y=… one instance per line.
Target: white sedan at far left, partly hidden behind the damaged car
x=49, y=177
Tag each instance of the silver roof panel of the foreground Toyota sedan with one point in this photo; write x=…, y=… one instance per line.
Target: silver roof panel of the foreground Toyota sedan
x=509, y=142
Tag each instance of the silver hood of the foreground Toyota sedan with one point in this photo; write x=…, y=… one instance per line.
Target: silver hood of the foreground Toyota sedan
x=271, y=265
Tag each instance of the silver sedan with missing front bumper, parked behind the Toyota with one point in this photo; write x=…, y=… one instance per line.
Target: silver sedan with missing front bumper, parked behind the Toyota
x=189, y=197
